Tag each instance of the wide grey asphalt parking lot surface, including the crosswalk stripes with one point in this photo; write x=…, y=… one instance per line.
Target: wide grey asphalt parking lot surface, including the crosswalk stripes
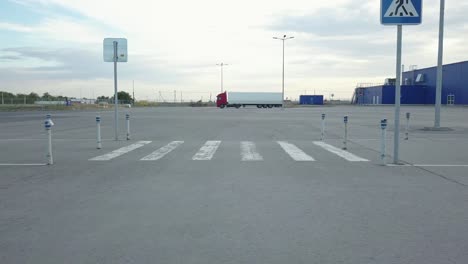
x=205, y=185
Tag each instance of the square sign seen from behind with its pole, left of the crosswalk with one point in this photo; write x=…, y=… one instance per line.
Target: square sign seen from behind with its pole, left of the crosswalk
x=115, y=50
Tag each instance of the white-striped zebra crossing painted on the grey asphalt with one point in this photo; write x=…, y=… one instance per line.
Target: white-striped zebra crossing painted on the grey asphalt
x=248, y=151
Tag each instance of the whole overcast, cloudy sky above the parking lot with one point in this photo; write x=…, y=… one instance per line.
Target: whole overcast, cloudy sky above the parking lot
x=55, y=46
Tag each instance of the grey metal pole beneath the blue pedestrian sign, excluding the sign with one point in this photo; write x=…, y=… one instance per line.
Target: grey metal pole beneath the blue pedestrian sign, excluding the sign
x=396, y=139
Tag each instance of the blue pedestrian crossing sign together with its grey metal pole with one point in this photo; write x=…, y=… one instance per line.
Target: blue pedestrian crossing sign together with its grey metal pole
x=399, y=13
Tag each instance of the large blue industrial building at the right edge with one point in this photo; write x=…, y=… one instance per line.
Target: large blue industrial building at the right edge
x=419, y=87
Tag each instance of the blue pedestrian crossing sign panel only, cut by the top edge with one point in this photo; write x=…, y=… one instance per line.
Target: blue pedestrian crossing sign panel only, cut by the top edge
x=401, y=12
